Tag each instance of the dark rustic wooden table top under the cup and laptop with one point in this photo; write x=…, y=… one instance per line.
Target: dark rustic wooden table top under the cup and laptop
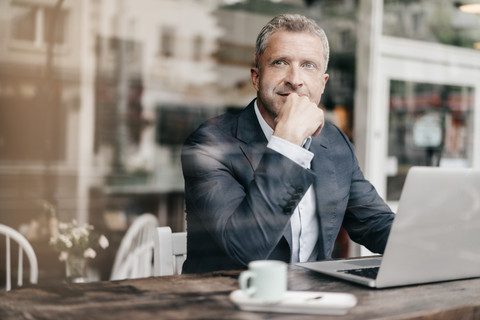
x=206, y=297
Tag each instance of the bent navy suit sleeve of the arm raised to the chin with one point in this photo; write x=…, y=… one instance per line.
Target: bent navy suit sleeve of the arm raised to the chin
x=244, y=208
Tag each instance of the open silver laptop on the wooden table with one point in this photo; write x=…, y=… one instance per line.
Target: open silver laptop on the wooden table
x=435, y=235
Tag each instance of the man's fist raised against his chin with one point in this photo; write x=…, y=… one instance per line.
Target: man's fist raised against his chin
x=298, y=119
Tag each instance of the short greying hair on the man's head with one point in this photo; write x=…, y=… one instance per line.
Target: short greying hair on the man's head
x=293, y=23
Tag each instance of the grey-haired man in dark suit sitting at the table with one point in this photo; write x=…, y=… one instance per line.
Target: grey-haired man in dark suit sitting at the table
x=274, y=181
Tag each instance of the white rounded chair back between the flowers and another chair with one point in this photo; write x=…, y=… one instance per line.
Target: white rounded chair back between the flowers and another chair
x=134, y=258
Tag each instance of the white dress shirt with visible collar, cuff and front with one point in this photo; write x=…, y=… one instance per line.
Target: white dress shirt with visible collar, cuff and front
x=304, y=220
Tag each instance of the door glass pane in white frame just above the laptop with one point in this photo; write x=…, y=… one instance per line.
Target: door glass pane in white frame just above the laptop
x=429, y=125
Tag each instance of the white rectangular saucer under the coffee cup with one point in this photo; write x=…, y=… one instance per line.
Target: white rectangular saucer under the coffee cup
x=308, y=302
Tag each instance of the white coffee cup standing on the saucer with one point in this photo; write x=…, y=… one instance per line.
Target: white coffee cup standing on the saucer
x=265, y=280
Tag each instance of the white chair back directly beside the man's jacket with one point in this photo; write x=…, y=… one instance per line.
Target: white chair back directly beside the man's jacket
x=170, y=252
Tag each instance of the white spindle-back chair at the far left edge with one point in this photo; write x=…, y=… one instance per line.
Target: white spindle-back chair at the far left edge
x=23, y=246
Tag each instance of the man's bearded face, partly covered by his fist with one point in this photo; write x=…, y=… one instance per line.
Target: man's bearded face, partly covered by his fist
x=292, y=62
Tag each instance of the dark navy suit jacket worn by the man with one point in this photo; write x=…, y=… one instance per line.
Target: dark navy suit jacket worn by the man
x=240, y=195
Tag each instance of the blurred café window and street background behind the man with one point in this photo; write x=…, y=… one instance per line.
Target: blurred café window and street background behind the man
x=97, y=97
